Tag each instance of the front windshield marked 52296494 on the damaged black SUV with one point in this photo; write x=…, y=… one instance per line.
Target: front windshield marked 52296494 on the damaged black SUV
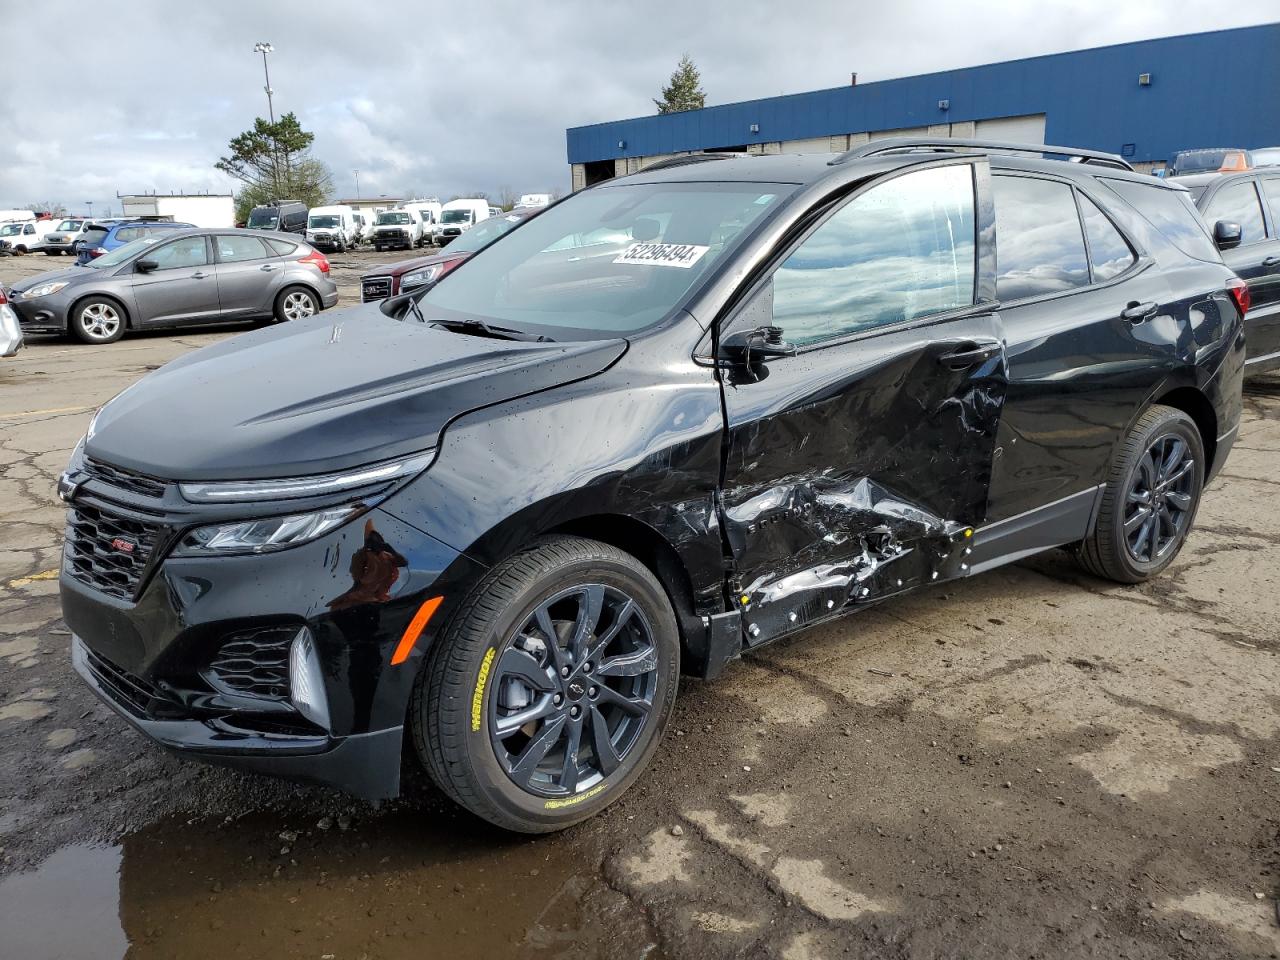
x=609, y=262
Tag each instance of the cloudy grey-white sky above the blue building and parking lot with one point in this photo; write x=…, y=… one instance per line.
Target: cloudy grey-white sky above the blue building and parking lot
x=446, y=99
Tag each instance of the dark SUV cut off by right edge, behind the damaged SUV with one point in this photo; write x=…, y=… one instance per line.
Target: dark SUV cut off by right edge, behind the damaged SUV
x=1244, y=212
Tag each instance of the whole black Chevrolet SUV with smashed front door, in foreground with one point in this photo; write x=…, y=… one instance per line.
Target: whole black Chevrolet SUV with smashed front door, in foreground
x=673, y=418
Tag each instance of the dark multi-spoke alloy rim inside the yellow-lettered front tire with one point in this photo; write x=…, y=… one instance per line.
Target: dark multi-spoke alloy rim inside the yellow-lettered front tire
x=574, y=688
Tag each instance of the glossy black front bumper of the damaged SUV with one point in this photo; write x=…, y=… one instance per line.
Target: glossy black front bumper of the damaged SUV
x=157, y=648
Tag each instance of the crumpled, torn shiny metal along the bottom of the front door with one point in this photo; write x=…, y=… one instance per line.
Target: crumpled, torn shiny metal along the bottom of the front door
x=885, y=545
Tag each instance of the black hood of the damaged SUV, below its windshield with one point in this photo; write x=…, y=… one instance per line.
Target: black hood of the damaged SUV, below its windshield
x=323, y=395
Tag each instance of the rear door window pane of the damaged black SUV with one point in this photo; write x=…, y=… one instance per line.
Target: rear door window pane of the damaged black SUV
x=1040, y=246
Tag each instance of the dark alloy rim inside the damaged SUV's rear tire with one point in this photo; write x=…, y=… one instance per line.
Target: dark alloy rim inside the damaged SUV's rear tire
x=1160, y=500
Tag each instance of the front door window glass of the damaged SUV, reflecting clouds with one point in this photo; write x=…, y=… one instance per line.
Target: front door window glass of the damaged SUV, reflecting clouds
x=903, y=250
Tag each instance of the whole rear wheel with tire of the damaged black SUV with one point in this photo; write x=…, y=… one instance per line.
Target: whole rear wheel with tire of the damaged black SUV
x=1164, y=459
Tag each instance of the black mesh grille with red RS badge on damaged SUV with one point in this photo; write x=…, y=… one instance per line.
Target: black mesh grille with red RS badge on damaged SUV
x=108, y=552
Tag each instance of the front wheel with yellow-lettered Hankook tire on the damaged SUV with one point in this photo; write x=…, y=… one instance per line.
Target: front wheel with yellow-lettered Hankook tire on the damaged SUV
x=493, y=639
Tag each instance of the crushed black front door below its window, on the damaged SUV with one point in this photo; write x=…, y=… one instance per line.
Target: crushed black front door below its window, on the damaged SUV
x=858, y=470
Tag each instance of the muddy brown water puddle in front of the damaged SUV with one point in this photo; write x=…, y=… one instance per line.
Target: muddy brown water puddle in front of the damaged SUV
x=408, y=885
